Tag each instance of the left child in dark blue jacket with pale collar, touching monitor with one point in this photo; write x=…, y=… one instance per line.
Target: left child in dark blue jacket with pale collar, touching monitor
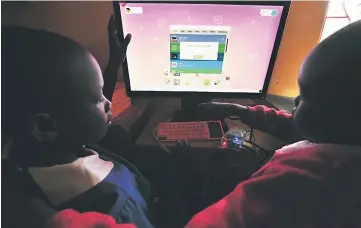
x=54, y=107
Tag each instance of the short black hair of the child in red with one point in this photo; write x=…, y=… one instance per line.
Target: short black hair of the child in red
x=335, y=66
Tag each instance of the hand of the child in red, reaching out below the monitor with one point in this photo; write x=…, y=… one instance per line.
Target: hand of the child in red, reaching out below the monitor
x=220, y=111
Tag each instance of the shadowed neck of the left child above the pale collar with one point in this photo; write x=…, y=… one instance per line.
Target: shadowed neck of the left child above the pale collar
x=45, y=155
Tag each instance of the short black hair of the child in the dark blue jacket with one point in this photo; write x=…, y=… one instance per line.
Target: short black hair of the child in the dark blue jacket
x=28, y=66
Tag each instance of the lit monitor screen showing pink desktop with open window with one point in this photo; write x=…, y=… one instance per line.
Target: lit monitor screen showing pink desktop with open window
x=199, y=47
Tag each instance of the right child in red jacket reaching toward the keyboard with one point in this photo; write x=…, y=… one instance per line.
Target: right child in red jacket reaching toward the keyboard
x=314, y=183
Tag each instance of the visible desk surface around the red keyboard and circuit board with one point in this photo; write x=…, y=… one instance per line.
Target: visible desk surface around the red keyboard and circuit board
x=164, y=113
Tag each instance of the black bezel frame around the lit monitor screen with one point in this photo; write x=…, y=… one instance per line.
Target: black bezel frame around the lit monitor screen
x=262, y=95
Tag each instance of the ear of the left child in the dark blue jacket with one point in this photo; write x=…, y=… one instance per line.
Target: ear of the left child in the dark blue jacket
x=42, y=128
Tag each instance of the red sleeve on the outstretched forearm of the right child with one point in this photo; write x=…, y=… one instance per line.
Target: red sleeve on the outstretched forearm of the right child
x=277, y=123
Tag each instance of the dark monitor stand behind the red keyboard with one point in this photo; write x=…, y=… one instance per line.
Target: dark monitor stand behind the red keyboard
x=188, y=110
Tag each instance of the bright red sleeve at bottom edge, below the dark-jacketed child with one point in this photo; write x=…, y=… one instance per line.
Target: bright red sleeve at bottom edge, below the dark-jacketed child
x=72, y=219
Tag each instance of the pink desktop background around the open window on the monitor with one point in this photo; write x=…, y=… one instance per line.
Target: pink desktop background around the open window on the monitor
x=250, y=45
